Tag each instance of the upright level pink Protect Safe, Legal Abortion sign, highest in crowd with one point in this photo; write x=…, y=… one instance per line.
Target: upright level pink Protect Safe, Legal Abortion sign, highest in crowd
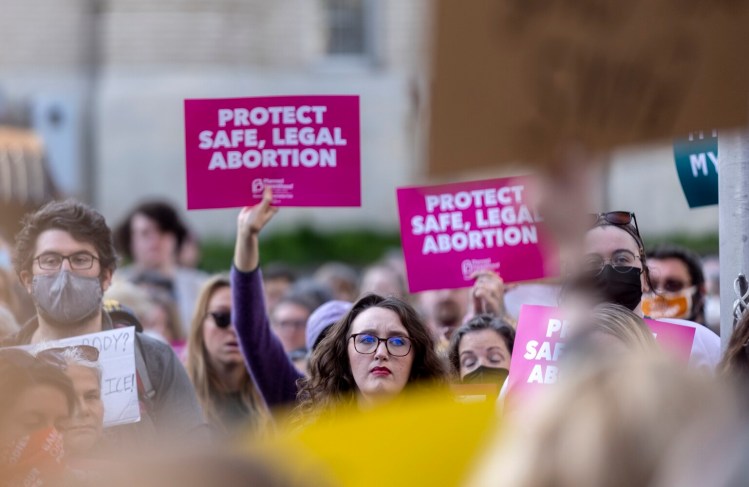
x=306, y=148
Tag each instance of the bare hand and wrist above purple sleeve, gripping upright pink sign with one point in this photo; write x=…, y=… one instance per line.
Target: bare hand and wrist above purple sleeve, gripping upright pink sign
x=250, y=222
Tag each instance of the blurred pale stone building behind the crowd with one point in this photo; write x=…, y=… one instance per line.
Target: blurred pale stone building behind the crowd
x=102, y=83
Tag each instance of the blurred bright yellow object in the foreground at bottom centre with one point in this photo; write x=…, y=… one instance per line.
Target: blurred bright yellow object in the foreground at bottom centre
x=420, y=439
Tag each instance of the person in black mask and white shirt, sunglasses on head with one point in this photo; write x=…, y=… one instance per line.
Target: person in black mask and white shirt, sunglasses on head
x=614, y=270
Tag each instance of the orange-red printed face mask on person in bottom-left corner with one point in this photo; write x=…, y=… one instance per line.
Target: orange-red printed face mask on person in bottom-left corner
x=36, y=459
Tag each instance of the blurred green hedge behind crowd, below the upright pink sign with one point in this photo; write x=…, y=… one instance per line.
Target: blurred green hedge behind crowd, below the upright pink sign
x=307, y=248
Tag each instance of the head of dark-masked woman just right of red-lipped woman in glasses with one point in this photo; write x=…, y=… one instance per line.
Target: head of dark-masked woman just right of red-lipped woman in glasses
x=481, y=349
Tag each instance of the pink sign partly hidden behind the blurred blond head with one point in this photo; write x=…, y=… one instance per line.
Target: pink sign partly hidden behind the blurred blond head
x=541, y=337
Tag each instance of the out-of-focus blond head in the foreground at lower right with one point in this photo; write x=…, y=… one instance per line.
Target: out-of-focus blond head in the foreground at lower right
x=613, y=424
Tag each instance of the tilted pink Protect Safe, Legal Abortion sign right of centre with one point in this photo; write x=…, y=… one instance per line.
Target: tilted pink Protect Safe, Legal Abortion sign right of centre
x=451, y=231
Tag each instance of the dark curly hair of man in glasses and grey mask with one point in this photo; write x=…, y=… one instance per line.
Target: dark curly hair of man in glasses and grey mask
x=81, y=221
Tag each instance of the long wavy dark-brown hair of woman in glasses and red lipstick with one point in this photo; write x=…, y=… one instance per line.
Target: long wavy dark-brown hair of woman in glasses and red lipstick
x=331, y=382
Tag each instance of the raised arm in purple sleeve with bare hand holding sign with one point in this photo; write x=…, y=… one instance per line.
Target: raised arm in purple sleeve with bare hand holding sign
x=273, y=372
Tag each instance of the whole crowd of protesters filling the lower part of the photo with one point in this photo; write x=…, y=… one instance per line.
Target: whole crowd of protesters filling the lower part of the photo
x=234, y=354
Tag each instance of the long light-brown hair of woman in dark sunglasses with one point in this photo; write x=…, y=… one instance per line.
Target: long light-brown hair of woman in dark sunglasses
x=203, y=375
